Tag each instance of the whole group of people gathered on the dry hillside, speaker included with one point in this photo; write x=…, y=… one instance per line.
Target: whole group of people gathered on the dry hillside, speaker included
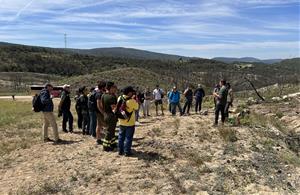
x=99, y=109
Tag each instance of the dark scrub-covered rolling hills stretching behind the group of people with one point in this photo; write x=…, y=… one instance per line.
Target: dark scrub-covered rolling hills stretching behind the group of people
x=143, y=72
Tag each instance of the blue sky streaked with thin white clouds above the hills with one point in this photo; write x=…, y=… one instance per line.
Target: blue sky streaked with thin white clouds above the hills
x=202, y=28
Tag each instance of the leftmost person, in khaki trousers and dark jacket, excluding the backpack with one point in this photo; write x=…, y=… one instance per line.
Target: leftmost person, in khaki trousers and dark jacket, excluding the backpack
x=49, y=118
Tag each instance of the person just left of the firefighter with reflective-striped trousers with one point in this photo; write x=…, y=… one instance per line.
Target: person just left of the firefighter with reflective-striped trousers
x=100, y=111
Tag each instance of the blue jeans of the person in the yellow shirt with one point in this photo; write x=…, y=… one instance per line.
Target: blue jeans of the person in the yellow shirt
x=126, y=134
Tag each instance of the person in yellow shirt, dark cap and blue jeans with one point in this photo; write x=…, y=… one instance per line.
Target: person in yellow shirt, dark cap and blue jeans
x=127, y=126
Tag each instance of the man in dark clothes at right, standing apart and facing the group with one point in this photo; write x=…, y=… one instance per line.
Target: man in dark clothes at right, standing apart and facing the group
x=221, y=98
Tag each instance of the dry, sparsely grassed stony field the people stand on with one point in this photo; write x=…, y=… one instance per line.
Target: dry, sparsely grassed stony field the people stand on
x=173, y=155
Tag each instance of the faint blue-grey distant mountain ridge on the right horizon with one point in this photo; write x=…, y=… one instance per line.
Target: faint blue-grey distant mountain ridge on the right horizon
x=247, y=59
